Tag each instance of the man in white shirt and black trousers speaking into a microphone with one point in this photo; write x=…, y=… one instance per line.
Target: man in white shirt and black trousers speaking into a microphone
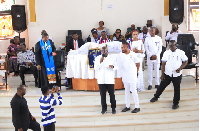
x=106, y=66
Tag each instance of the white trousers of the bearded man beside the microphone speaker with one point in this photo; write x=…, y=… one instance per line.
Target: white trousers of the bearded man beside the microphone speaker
x=131, y=87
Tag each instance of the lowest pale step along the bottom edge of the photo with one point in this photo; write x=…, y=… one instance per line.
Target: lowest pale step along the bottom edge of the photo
x=153, y=124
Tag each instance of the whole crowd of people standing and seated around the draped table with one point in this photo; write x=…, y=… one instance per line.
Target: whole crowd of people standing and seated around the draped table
x=133, y=49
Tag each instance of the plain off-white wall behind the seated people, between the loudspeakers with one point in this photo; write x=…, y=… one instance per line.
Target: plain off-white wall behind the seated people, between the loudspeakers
x=57, y=17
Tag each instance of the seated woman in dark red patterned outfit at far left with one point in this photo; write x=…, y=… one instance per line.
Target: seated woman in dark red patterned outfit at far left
x=12, y=52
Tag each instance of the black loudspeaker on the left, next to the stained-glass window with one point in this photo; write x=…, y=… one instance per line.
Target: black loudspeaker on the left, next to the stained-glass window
x=18, y=17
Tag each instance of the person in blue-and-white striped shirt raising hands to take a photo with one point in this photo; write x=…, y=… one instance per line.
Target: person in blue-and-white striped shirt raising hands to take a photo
x=46, y=105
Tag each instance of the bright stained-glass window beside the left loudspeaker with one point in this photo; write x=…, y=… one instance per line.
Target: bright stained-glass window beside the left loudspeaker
x=5, y=18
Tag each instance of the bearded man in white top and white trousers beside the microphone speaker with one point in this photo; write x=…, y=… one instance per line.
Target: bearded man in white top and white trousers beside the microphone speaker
x=130, y=65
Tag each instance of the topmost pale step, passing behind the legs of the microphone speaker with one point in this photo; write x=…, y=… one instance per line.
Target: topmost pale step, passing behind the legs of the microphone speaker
x=95, y=98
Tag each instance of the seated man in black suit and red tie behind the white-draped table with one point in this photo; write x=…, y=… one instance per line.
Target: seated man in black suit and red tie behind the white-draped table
x=74, y=43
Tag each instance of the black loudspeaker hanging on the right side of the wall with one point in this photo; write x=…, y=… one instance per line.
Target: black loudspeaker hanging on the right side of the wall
x=176, y=11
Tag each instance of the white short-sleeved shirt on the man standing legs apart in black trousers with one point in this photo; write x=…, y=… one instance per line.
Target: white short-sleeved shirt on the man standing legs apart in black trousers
x=173, y=62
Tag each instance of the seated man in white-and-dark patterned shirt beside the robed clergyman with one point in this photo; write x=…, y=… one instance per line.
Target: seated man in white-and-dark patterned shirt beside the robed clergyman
x=26, y=59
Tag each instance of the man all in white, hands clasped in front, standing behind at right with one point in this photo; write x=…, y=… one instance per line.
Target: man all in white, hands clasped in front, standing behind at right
x=153, y=47
